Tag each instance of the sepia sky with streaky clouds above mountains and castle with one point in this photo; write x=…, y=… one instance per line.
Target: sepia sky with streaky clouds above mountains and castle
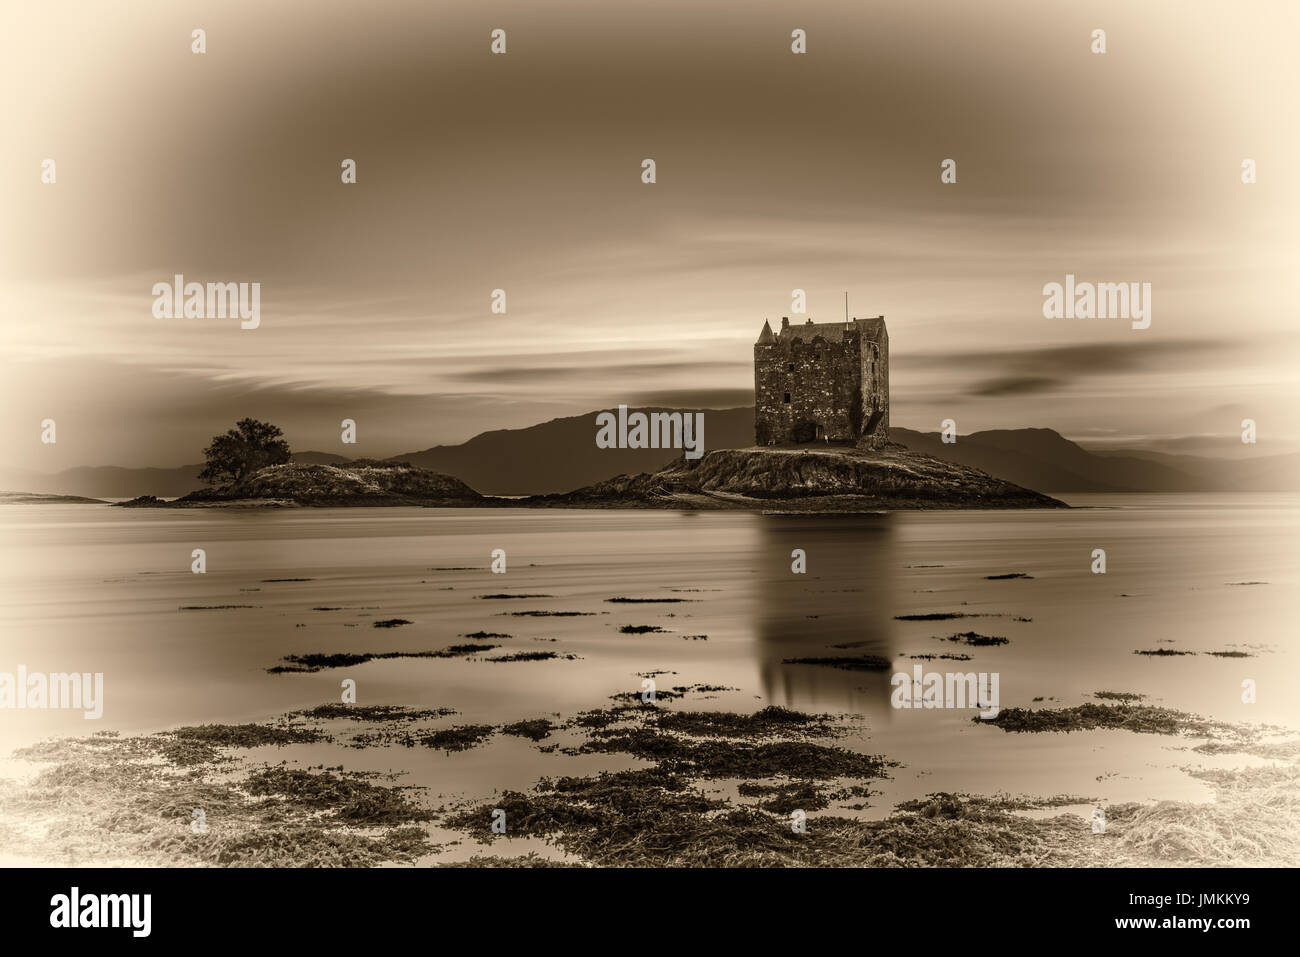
x=523, y=172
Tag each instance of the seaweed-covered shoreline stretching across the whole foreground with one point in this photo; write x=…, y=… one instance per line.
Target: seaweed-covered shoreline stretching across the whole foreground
x=665, y=811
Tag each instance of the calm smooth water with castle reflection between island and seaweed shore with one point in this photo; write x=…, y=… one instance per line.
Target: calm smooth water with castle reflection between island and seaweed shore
x=92, y=588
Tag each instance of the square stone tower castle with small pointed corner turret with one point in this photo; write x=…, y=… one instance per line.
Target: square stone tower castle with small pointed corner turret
x=824, y=383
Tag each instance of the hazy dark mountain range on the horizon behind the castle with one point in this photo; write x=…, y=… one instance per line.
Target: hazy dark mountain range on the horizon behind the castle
x=561, y=456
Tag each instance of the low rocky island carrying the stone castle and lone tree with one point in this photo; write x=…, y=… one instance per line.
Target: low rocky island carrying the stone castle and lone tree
x=821, y=445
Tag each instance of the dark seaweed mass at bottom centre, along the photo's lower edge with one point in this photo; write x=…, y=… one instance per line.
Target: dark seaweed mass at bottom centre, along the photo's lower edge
x=656, y=819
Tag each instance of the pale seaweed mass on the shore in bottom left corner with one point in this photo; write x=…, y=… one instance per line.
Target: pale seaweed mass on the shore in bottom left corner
x=133, y=800
